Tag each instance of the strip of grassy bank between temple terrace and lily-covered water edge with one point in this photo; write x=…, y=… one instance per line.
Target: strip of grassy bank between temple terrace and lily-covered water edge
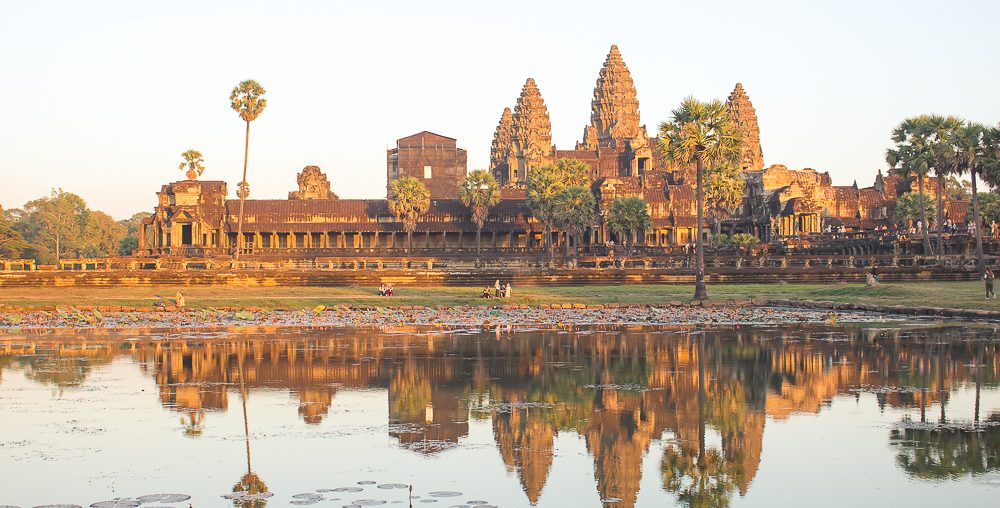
x=957, y=295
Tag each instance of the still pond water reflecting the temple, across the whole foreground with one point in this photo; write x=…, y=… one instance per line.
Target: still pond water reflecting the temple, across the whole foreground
x=787, y=415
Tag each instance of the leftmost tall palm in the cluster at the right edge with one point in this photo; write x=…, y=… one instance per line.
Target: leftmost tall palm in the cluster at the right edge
x=913, y=156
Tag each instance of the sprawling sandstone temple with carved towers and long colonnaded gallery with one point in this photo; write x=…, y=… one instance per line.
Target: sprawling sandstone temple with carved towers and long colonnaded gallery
x=196, y=216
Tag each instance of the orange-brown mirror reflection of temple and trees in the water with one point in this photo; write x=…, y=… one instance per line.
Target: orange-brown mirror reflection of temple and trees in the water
x=619, y=392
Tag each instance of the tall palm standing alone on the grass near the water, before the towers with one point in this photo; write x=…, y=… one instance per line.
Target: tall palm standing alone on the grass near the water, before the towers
x=700, y=133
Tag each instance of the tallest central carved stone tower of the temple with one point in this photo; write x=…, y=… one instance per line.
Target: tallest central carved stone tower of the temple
x=614, y=112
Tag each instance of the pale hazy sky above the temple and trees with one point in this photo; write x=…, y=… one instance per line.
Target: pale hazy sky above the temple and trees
x=100, y=98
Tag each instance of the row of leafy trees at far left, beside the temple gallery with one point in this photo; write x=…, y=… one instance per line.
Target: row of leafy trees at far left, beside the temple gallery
x=60, y=226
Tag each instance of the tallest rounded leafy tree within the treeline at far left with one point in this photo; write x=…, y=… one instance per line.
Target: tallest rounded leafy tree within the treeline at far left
x=57, y=221
